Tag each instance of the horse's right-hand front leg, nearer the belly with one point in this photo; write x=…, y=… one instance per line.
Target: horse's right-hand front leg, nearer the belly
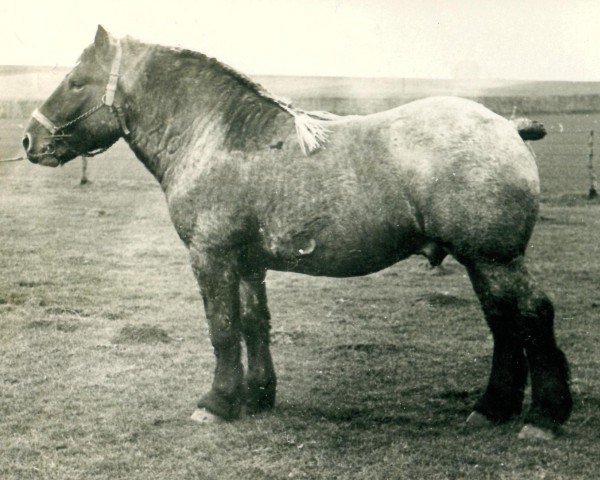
x=255, y=321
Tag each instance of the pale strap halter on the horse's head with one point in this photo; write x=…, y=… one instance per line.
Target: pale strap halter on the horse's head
x=108, y=100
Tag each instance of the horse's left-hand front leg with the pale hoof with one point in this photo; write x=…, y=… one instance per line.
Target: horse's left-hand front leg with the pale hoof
x=219, y=285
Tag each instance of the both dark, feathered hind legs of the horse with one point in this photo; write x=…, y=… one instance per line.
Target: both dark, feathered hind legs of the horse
x=521, y=318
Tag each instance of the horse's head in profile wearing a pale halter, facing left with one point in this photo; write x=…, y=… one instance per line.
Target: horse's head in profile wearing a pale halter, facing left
x=81, y=116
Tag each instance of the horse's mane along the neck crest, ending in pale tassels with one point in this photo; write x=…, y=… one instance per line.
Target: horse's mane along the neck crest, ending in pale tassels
x=311, y=126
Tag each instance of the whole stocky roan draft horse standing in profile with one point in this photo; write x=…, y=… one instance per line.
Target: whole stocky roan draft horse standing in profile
x=253, y=184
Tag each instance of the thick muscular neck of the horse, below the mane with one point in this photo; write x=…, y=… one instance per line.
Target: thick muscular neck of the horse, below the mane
x=181, y=106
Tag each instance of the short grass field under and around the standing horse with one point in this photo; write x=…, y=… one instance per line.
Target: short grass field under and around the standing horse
x=104, y=348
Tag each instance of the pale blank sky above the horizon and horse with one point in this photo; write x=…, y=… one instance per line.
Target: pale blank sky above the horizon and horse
x=501, y=39
